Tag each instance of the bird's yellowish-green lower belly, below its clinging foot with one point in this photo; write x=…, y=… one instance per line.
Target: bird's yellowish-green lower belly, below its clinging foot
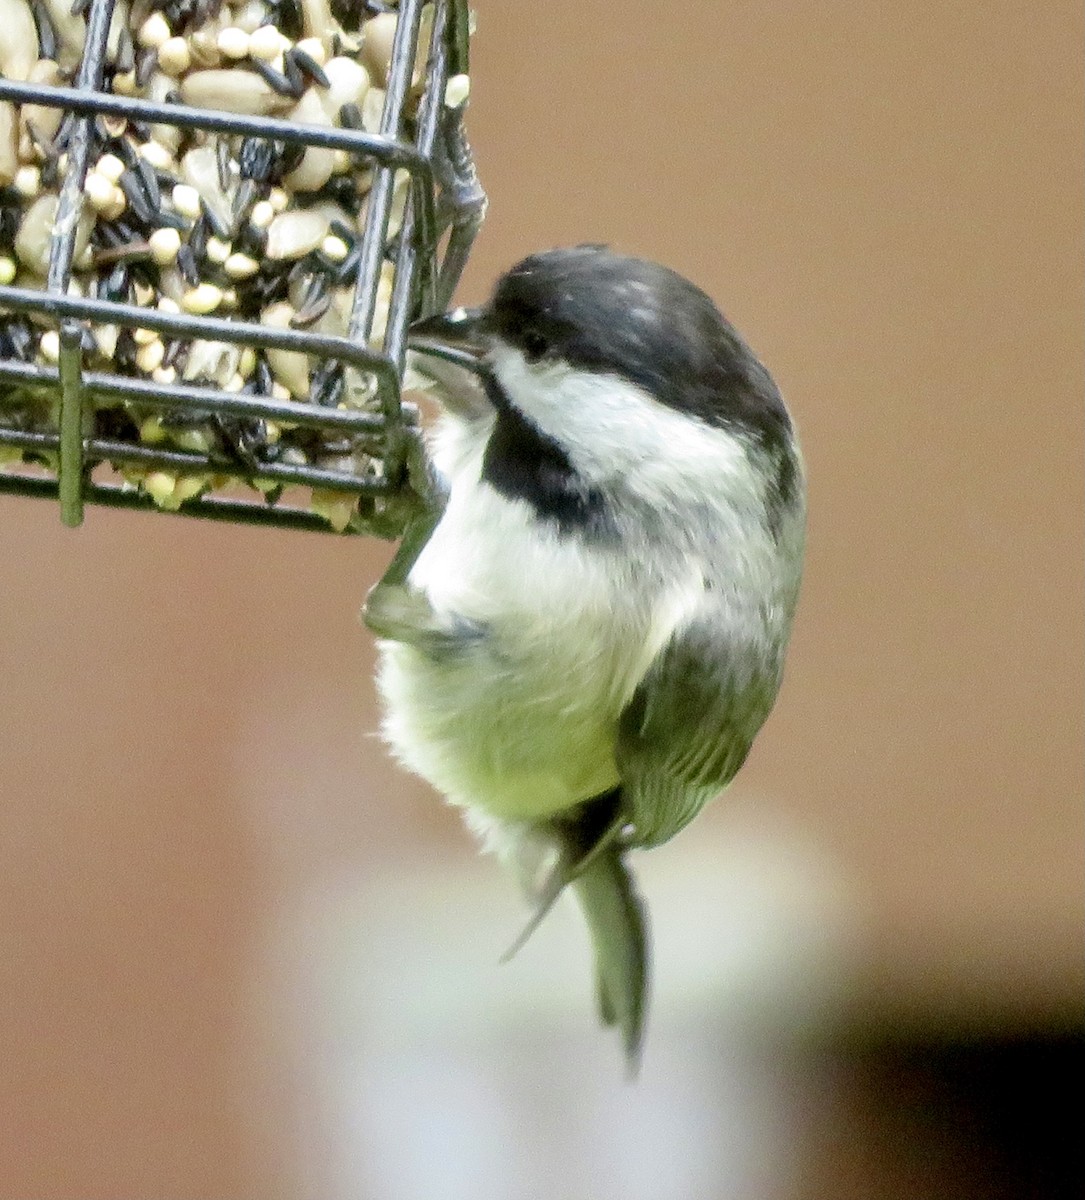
x=520, y=739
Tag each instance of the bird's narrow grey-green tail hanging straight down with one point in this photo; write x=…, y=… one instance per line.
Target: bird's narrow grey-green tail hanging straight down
x=619, y=923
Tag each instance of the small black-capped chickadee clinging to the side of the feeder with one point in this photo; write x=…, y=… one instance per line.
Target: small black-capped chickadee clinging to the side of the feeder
x=583, y=635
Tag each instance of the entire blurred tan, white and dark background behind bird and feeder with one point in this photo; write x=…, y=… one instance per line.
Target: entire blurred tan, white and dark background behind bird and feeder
x=243, y=956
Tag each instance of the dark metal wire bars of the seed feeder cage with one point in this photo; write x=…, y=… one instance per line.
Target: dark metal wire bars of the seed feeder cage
x=442, y=214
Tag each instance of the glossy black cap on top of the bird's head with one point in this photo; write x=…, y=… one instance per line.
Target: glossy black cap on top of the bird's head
x=607, y=313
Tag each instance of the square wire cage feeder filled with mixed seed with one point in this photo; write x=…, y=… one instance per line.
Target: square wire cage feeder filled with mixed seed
x=218, y=221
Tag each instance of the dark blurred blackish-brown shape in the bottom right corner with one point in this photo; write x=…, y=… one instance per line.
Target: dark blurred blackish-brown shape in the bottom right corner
x=937, y=1118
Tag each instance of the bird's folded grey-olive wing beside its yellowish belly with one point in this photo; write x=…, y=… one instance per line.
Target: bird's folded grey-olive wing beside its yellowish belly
x=692, y=721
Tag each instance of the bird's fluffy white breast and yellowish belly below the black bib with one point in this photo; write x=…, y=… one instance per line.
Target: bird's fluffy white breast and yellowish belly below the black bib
x=521, y=718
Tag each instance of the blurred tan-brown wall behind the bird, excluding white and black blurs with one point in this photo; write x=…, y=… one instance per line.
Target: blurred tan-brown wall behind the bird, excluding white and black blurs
x=888, y=201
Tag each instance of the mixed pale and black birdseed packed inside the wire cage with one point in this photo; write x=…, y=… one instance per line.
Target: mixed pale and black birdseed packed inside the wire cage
x=197, y=223
